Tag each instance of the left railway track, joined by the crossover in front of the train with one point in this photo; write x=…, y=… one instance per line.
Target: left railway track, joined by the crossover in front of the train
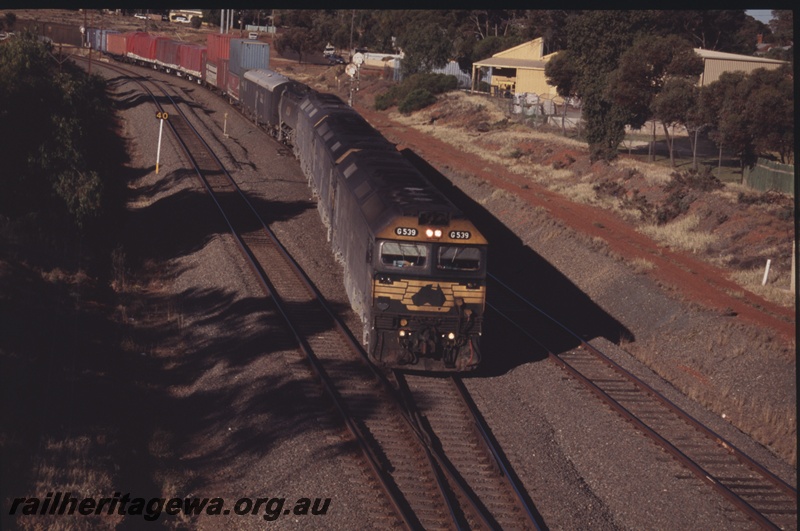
x=417, y=474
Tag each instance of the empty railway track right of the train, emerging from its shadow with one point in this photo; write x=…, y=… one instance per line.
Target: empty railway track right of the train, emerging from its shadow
x=756, y=493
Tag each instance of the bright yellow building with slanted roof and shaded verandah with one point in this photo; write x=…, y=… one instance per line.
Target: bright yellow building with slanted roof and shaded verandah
x=516, y=70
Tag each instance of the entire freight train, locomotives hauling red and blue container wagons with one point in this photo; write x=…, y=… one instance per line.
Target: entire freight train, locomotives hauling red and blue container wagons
x=414, y=265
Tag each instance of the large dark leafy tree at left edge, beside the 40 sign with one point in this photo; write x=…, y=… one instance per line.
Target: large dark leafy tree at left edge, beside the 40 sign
x=49, y=121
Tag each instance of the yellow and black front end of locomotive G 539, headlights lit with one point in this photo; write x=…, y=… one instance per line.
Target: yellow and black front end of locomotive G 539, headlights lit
x=428, y=296
